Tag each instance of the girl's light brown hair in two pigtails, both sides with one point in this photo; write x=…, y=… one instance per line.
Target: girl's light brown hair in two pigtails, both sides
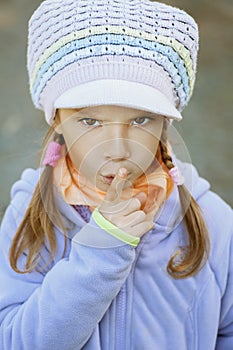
x=37, y=225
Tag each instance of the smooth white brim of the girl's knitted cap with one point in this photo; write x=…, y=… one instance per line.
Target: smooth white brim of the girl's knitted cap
x=120, y=93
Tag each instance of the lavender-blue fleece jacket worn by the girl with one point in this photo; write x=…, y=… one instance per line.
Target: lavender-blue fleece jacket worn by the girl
x=107, y=295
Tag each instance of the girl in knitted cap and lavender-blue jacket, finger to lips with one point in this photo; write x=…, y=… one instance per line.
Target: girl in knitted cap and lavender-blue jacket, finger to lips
x=113, y=243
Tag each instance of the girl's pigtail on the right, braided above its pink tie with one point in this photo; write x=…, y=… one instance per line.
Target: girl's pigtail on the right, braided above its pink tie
x=189, y=260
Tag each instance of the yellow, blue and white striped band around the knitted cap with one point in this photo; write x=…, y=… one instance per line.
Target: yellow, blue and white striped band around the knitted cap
x=156, y=48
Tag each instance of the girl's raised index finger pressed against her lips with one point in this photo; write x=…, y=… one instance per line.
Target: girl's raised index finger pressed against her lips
x=114, y=191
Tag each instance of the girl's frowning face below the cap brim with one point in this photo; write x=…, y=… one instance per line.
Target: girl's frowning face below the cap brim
x=102, y=139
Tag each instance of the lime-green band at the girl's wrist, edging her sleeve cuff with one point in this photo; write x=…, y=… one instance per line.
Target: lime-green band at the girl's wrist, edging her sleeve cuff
x=114, y=230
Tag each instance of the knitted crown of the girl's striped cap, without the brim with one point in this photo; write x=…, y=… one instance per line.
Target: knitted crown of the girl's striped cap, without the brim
x=72, y=42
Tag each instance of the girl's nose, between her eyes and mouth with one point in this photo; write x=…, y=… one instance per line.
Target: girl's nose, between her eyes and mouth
x=117, y=144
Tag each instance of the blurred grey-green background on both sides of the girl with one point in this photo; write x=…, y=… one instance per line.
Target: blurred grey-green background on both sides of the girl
x=208, y=120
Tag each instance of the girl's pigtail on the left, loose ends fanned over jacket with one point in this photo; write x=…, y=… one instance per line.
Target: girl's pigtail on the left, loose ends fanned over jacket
x=37, y=227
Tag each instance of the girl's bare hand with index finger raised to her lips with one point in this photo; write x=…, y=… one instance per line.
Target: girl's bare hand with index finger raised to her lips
x=125, y=214
